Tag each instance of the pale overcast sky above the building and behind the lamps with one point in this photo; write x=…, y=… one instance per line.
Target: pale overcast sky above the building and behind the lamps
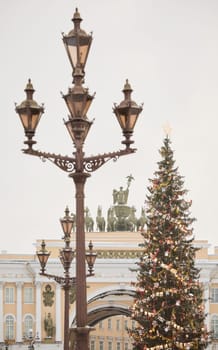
x=168, y=49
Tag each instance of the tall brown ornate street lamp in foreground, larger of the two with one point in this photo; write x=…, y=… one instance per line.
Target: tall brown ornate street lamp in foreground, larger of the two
x=79, y=167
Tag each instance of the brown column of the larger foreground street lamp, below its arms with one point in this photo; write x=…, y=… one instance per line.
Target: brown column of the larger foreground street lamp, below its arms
x=81, y=298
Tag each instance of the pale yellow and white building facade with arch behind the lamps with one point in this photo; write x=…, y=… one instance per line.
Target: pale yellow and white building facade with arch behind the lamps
x=31, y=306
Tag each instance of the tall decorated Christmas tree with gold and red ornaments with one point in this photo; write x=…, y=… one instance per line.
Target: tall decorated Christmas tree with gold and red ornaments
x=169, y=304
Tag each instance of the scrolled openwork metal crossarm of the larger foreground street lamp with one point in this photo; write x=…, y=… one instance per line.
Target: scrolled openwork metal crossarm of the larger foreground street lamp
x=90, y=164
